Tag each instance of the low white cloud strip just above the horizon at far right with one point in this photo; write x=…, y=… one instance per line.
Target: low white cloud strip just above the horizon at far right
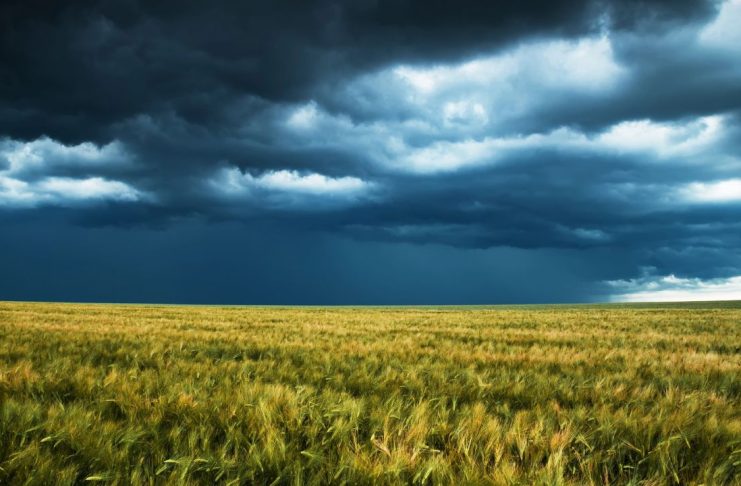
x=674, y=289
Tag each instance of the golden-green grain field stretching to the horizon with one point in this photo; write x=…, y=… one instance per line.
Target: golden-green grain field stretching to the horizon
x=128, y=394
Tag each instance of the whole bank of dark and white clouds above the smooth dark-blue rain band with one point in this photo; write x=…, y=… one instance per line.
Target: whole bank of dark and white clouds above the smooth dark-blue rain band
x=580, y=125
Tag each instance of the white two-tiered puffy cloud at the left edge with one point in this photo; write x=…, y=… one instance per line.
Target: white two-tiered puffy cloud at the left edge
x=27, y=180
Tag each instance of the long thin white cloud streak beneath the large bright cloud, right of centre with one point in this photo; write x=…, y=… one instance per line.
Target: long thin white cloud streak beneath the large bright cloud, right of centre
x=655, y=141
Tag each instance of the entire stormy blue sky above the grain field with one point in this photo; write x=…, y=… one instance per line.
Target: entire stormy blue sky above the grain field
x=370, y=151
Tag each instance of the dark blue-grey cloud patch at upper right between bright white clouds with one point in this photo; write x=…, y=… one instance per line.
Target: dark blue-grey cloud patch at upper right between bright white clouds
x=671, y=77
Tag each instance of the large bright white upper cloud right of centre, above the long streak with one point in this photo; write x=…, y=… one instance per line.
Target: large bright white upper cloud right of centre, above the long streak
x=494, y=90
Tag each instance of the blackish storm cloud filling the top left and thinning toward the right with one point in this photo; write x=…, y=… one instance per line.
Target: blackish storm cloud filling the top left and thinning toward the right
x=72, y=70
